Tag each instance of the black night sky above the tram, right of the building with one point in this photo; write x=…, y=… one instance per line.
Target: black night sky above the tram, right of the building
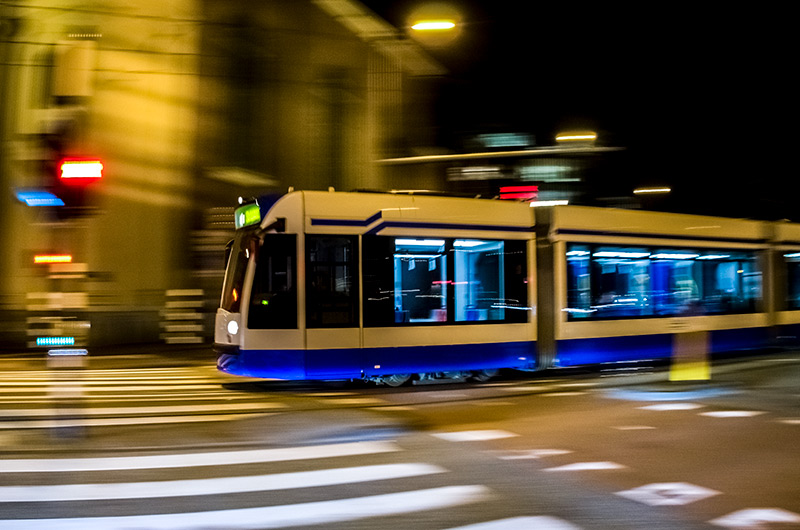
x=699, y=97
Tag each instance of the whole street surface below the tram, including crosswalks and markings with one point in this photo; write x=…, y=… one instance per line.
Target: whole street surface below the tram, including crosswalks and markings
x=164, y=441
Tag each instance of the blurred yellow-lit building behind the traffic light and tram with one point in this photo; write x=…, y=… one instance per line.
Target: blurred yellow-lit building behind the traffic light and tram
x=190, y=104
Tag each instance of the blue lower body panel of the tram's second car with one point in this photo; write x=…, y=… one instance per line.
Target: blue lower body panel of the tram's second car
x=599, y=350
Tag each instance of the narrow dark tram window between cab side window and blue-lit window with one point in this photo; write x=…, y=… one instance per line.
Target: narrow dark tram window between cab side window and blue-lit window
x=331, y=284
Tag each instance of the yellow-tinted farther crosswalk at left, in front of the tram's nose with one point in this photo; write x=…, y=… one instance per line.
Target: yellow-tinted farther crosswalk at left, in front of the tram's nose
x=36, y=399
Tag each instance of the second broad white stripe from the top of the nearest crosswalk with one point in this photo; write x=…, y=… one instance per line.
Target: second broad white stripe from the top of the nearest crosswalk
x=213, y=486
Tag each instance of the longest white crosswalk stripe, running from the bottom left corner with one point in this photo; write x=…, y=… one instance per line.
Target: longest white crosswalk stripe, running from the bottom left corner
x=311, y=513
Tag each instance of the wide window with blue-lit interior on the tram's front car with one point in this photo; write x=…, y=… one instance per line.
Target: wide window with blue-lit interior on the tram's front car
x=426, y=280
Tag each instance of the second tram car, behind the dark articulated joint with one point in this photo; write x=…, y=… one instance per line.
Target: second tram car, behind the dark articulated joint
x=625, y=282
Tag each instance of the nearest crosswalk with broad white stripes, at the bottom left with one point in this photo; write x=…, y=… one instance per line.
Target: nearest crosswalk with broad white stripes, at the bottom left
x=306, y=486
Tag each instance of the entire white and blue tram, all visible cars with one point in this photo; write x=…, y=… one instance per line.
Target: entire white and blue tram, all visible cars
x=390, y=287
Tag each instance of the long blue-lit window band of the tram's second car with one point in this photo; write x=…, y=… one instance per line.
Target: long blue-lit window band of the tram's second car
x=605, y=282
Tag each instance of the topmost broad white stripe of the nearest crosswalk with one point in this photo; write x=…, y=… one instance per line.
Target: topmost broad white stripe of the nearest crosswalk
x=195, y=459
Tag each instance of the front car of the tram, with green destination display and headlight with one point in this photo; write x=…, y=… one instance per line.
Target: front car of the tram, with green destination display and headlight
x=327, y=285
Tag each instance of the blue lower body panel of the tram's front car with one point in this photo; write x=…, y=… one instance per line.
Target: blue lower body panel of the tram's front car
x=357, y=363
